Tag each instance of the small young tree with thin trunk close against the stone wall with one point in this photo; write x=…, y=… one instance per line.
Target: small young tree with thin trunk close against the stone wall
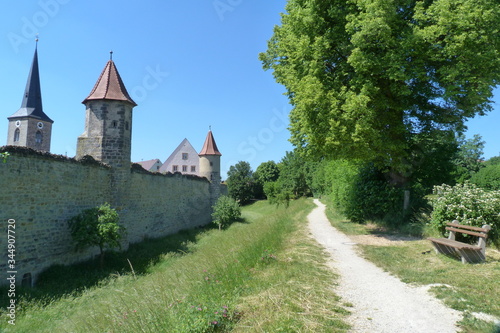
x=97, y=227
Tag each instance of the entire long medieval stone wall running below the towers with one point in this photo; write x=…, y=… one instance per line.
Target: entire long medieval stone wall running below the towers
x=41, y=192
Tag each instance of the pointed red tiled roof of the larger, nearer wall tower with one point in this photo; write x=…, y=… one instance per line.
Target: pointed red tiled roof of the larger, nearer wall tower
x=110, y=86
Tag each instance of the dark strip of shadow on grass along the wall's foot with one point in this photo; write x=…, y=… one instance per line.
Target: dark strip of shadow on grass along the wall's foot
x=61, y=280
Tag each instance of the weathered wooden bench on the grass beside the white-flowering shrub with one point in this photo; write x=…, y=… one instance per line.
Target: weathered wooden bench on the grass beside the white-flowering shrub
x=469, y=253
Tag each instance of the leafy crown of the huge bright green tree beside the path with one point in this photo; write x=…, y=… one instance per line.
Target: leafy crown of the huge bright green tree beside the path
x=366, y=76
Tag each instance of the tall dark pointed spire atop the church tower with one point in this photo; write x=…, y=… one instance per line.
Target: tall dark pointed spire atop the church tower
x=31, y=105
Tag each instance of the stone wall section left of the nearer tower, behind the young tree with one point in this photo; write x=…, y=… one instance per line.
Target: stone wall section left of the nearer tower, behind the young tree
x=41, y=193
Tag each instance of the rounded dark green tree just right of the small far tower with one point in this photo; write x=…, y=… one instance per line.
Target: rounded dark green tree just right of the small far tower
x=240, y=182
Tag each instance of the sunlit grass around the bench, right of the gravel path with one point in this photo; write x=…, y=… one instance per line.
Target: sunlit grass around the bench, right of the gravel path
x=469, y=288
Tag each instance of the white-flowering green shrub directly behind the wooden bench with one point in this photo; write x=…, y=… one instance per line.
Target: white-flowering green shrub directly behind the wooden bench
x=470, y=205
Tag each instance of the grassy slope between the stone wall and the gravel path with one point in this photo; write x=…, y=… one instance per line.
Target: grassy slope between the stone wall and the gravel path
x=258, y=275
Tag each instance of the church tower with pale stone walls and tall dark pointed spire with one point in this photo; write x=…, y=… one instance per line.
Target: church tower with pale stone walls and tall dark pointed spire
x=30, y=126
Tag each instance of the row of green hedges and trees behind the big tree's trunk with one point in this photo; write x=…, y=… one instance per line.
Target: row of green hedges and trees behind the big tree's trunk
x=360, y=189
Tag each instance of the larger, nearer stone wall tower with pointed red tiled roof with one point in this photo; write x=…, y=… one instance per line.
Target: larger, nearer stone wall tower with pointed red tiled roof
x=108, y=122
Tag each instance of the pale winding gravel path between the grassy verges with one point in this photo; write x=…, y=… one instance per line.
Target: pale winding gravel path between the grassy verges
x=381, y=302
